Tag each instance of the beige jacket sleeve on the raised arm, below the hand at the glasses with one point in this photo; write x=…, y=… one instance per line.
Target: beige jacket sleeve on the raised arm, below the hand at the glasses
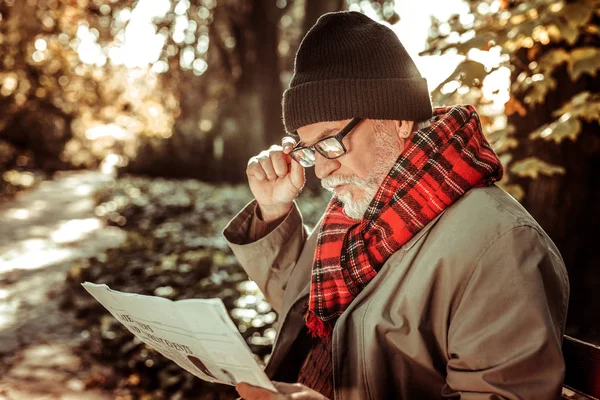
x=268, y=260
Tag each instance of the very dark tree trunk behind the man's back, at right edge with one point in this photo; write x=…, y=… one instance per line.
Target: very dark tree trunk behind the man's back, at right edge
x=568, y=206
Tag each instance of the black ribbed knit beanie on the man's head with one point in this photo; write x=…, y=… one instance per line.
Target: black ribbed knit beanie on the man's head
x=351, y=66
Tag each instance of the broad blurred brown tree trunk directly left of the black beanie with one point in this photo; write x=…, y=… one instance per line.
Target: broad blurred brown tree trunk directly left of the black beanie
x=255, y=113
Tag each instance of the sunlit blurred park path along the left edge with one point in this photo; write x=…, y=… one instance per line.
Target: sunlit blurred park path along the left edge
x=41, y=232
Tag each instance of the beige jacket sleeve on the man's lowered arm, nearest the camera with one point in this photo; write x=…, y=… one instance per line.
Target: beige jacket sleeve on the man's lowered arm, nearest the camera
x=505, y=335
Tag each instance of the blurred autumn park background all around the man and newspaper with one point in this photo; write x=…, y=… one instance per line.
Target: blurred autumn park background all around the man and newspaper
x=126, y=126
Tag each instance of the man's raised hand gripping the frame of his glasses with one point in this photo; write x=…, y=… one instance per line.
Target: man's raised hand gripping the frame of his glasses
x=275, y=179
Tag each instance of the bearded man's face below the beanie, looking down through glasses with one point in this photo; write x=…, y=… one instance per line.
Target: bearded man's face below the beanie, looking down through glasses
x=372, y=149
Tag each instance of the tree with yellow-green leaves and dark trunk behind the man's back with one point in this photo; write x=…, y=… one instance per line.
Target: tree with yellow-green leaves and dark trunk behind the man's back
x=549, y=141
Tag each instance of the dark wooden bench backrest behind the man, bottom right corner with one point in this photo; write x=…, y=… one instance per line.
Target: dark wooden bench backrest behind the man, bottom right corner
x=582, y=361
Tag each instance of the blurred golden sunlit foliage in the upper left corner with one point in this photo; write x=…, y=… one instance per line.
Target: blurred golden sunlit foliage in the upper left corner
x=59, y=95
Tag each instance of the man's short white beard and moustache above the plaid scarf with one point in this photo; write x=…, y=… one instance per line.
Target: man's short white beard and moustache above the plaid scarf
x=355, y=208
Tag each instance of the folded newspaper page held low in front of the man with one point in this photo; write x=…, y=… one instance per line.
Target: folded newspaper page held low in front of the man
x=195, y=333
